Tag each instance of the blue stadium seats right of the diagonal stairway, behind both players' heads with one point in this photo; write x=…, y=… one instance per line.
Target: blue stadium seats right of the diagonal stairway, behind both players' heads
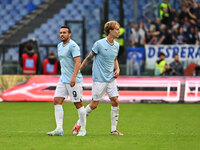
x=75, y=11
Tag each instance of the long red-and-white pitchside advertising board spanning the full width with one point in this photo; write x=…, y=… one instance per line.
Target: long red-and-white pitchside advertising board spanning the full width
x=131, y=89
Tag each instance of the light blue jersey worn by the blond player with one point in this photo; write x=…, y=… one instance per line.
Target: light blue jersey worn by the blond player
x=103, y=65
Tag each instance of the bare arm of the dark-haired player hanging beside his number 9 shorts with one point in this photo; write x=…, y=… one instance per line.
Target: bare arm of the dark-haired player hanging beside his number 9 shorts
x=76, y=69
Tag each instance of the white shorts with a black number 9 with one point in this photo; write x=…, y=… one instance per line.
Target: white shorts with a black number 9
x=65, y=90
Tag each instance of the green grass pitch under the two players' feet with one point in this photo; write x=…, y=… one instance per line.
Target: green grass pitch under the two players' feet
x=23, y=126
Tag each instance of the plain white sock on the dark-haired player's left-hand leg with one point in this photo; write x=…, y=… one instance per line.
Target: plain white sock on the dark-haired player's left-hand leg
x=59, y=116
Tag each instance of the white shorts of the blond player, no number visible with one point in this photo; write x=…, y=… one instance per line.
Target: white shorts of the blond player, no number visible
x=100, y=88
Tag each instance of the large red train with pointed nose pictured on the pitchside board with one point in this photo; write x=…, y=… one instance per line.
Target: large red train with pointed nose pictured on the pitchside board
x=42, y=88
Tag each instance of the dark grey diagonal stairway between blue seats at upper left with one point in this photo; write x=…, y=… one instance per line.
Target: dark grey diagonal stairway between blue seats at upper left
x=31, y=21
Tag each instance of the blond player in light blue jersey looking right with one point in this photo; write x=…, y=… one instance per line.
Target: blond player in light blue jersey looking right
x=104, y=72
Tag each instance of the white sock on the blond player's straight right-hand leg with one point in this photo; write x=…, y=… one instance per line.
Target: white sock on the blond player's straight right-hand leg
x=114, y=117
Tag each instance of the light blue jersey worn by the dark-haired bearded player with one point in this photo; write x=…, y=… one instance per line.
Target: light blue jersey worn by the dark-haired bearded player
x=66, y=54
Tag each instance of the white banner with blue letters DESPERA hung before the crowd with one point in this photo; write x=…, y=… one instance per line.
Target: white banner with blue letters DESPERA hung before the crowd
x=187, y=54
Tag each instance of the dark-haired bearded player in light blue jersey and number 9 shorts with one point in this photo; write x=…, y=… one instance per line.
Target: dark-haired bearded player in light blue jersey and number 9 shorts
x=70, y=83
